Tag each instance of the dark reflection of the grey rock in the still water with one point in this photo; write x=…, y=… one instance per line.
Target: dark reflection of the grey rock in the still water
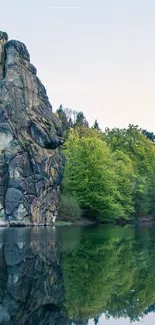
x=31, y=282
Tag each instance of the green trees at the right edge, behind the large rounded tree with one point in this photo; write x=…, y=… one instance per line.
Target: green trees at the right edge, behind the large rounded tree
x=141, y=151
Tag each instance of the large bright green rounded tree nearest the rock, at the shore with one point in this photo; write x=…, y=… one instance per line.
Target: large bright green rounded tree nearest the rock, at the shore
x=95, y=181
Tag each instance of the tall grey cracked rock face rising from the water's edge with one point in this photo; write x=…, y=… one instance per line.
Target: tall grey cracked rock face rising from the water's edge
x=31, y=161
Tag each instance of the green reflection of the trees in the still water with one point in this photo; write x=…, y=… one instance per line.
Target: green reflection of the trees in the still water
x=110, y=274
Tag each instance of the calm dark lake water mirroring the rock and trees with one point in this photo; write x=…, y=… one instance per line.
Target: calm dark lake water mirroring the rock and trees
x=77, y=275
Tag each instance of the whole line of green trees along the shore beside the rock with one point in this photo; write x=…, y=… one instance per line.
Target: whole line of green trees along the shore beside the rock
x=110, y=174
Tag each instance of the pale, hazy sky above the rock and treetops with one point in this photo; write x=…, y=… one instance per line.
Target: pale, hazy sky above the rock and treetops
x=92, y=56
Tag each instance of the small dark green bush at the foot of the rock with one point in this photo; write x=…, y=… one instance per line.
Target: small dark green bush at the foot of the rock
x=69, y=209
